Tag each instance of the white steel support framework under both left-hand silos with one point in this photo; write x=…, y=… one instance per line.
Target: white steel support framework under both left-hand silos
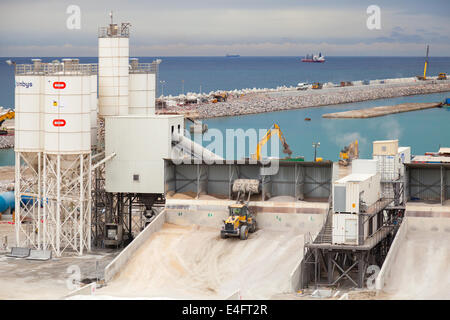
x=53, y=201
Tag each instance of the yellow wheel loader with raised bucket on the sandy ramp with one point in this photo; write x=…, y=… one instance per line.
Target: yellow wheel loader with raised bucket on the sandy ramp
x=240, y=220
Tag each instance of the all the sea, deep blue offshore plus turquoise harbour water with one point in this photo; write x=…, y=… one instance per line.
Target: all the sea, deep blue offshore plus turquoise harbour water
x=422, y=130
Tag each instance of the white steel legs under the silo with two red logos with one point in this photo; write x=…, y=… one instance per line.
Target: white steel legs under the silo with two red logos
x=67, y=204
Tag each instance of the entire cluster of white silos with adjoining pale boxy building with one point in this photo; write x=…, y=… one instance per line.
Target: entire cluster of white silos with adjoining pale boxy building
x=58, y=115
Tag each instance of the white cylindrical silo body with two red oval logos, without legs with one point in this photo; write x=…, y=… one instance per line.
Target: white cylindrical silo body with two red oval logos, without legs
x=67, y=125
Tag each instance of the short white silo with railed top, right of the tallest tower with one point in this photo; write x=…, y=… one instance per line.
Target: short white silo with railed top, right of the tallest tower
x=143, y=79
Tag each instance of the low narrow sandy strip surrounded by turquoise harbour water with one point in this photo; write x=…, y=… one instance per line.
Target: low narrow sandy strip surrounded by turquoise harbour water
x=381, y=111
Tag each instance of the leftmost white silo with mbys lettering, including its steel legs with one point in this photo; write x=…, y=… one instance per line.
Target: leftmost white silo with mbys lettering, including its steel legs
x=28, y=147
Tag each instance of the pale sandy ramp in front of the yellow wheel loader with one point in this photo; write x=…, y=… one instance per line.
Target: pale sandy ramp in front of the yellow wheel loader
x=192, y=262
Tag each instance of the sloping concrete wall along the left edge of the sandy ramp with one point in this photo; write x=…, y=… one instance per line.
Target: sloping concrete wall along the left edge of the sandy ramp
x=121, y=260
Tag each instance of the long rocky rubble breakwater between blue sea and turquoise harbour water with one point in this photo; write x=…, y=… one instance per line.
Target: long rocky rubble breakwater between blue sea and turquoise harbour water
x=254, y=103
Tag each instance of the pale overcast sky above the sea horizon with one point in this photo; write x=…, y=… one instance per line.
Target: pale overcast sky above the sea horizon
x=247, y=27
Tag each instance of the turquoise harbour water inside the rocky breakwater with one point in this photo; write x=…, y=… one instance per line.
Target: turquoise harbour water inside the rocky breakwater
x=422, y=130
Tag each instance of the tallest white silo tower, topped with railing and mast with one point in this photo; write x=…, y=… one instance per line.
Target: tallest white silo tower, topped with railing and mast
x=113, y=62
